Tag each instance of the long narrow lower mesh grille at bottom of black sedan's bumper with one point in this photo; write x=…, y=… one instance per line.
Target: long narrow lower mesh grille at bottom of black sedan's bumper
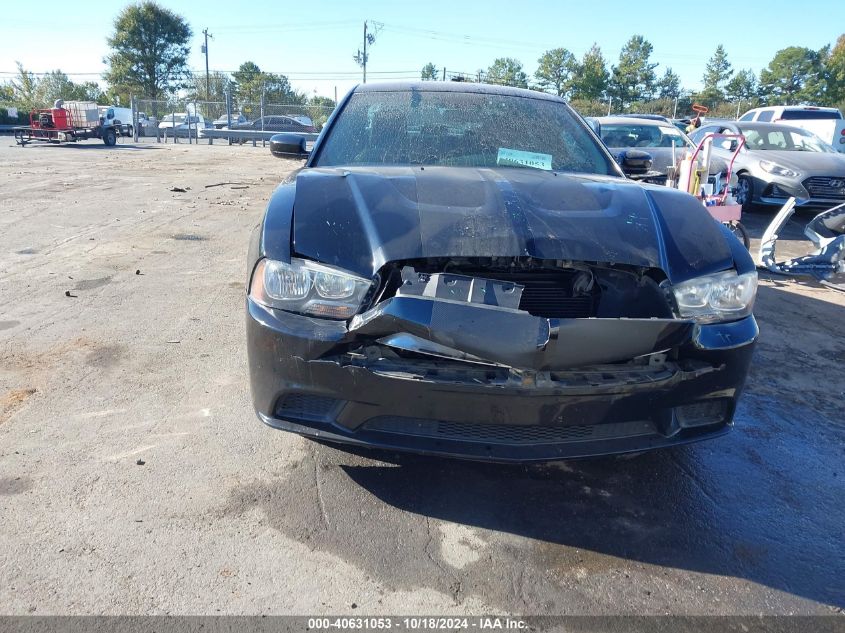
x=506, y=433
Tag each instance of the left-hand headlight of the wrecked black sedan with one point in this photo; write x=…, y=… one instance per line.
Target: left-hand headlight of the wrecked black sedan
x=308, y=288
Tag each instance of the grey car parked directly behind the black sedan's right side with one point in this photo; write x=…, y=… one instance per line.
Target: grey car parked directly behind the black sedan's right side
x=657, y=137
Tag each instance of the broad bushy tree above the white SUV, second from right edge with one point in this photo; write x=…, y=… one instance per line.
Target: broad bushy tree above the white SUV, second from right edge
x=794, y=75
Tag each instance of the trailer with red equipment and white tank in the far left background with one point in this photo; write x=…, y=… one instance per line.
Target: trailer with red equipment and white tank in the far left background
x=67, y=122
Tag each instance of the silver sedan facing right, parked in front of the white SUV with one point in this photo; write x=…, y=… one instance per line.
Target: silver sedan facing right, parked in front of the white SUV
x=779, y=162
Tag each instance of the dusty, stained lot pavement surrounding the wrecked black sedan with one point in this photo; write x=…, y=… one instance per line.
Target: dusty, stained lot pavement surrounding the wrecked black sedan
x=135, y=478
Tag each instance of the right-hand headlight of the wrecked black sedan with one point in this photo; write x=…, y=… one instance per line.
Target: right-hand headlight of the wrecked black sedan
x=720, y=297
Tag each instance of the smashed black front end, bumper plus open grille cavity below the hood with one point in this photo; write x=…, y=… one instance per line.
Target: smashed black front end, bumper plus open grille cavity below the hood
x=503, y=359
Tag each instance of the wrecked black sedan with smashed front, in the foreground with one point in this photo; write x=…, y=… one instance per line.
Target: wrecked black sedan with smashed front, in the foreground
x=464, y=270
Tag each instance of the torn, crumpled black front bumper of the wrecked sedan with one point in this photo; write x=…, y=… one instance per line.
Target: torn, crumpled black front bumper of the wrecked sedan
x=485, y=382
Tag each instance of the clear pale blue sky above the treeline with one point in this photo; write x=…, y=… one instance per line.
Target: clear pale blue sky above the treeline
x=313, y=43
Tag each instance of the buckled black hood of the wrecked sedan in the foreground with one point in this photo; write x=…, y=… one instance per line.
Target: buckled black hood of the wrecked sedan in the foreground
x=360, y=218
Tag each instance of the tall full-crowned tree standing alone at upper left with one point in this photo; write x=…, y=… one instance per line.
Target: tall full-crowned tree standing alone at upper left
x=149, y=51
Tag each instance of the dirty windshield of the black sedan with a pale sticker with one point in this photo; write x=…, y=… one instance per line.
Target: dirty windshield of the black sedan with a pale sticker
x=461, y=129
